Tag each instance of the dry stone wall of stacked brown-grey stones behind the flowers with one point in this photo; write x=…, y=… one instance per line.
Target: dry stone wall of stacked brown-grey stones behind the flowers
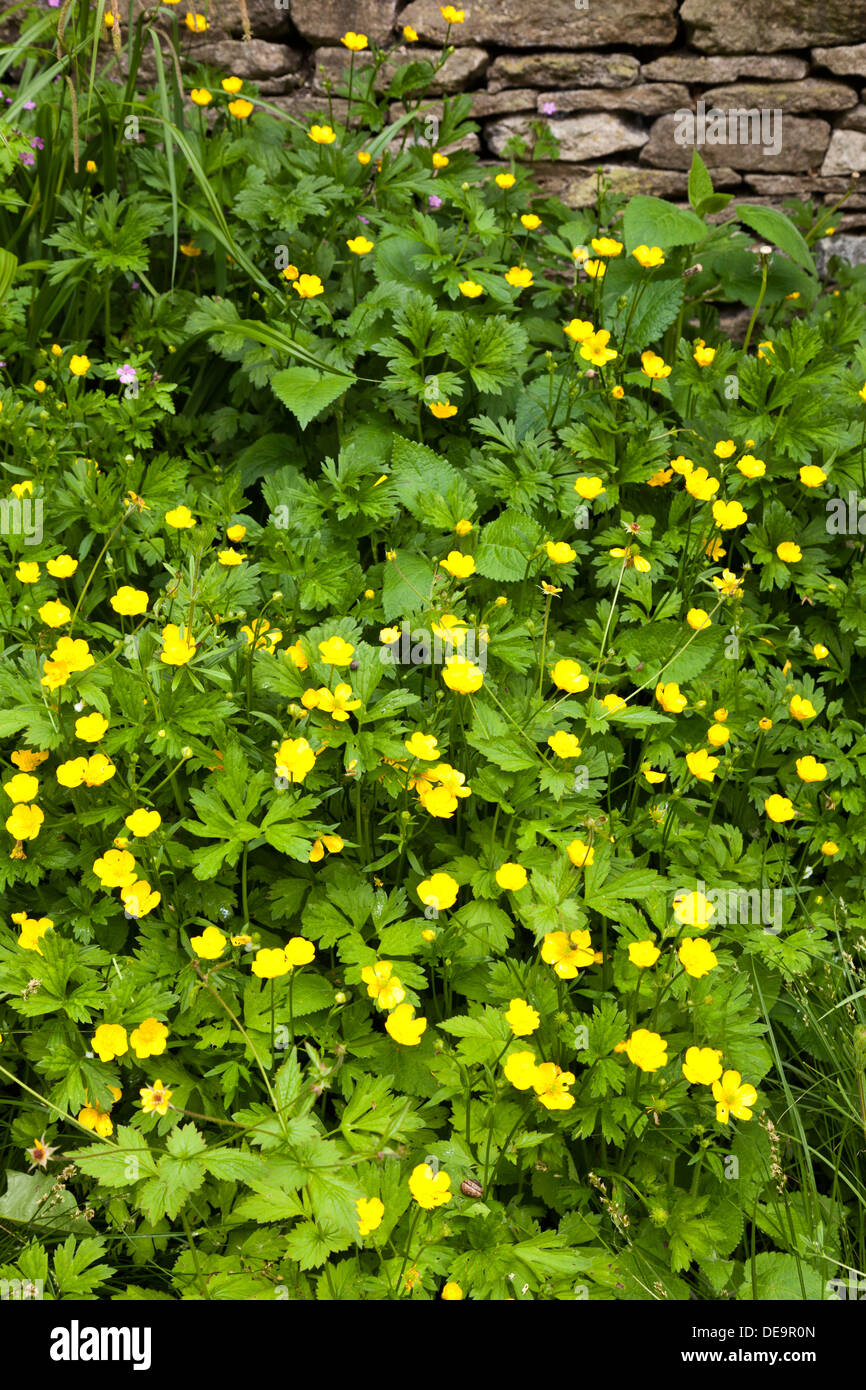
x=614, y=80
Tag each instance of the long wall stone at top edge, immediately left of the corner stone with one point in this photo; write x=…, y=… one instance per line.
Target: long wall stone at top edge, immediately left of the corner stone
x=555, y=24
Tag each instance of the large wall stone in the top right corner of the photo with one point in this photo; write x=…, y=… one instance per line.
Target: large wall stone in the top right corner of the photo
x=733, y=27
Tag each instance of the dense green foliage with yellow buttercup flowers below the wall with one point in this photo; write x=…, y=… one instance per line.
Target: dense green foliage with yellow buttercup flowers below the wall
x=432, y=708
